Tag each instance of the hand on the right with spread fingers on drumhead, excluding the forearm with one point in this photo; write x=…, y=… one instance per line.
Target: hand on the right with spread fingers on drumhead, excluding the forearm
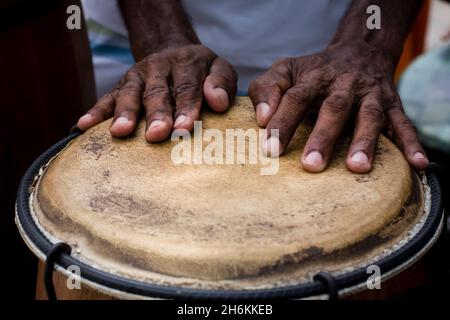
x=347, y=82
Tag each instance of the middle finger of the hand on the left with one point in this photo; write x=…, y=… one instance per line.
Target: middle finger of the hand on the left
x=158, y=104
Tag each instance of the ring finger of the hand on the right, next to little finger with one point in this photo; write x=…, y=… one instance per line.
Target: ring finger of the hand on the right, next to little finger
x=368, y=125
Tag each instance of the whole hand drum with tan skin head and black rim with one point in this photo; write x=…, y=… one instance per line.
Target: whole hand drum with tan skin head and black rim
x=207, y=216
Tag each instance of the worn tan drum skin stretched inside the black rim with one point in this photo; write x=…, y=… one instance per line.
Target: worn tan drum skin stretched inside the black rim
x=123, y=205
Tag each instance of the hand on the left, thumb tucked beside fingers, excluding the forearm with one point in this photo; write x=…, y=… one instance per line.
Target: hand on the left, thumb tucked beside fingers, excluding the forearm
x=170, y=85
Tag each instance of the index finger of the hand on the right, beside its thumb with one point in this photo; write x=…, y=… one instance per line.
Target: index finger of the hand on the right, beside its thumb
x=286, y=119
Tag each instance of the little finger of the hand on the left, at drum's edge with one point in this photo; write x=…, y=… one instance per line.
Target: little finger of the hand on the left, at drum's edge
x=103, y=109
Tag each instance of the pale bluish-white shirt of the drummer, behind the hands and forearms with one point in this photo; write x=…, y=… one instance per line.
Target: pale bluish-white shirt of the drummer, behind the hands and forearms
x=250, y=34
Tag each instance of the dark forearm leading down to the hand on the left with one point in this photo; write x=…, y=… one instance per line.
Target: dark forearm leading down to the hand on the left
x=154, y=25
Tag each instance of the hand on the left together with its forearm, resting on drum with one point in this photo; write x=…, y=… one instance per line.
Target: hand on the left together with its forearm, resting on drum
x=172, y=76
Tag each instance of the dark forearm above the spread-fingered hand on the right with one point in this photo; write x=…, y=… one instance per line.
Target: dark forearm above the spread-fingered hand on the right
x=397, y=18
